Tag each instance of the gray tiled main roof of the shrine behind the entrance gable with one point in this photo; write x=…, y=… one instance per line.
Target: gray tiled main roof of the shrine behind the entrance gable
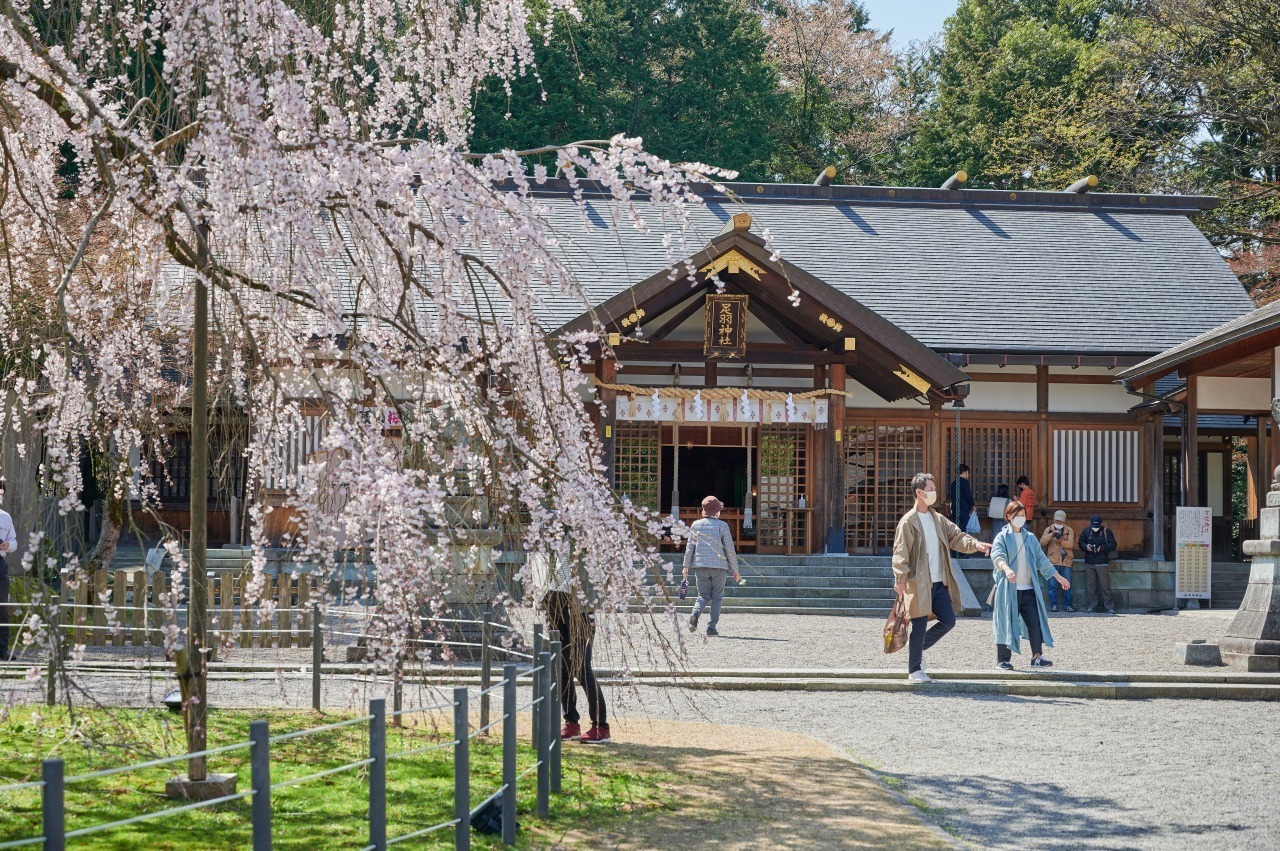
x=1052, y=273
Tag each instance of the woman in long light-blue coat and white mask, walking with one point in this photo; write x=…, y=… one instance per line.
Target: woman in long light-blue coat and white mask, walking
x=1021, y=573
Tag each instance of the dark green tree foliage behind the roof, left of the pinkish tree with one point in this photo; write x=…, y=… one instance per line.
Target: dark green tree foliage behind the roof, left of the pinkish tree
x=688, y=76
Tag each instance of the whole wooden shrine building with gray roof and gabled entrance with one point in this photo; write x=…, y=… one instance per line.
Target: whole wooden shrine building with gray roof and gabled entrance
x=881, y=332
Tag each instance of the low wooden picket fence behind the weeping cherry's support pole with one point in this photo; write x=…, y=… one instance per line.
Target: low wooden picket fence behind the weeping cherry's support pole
x=140, y=617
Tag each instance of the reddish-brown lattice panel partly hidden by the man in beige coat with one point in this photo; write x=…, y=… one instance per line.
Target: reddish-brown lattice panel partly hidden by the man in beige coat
x=880, y=461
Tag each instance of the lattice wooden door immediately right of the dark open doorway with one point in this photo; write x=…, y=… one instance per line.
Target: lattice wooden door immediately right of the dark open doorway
x=784, y=481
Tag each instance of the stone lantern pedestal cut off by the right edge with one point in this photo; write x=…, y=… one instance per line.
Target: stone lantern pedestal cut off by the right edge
x=1252, y=643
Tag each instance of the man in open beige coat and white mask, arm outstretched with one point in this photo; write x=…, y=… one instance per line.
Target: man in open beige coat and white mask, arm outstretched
x=924, y=573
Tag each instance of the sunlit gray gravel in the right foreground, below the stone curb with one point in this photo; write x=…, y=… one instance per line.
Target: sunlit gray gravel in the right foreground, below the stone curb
x=1018, y=774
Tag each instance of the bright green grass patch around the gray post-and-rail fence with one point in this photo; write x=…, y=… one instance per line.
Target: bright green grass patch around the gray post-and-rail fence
x=328, y=813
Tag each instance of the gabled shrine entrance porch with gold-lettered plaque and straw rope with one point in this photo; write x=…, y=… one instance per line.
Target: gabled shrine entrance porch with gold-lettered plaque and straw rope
x=735, y=386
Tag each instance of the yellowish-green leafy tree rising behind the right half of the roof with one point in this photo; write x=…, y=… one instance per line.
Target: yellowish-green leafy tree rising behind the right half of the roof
x=1032, y=94
